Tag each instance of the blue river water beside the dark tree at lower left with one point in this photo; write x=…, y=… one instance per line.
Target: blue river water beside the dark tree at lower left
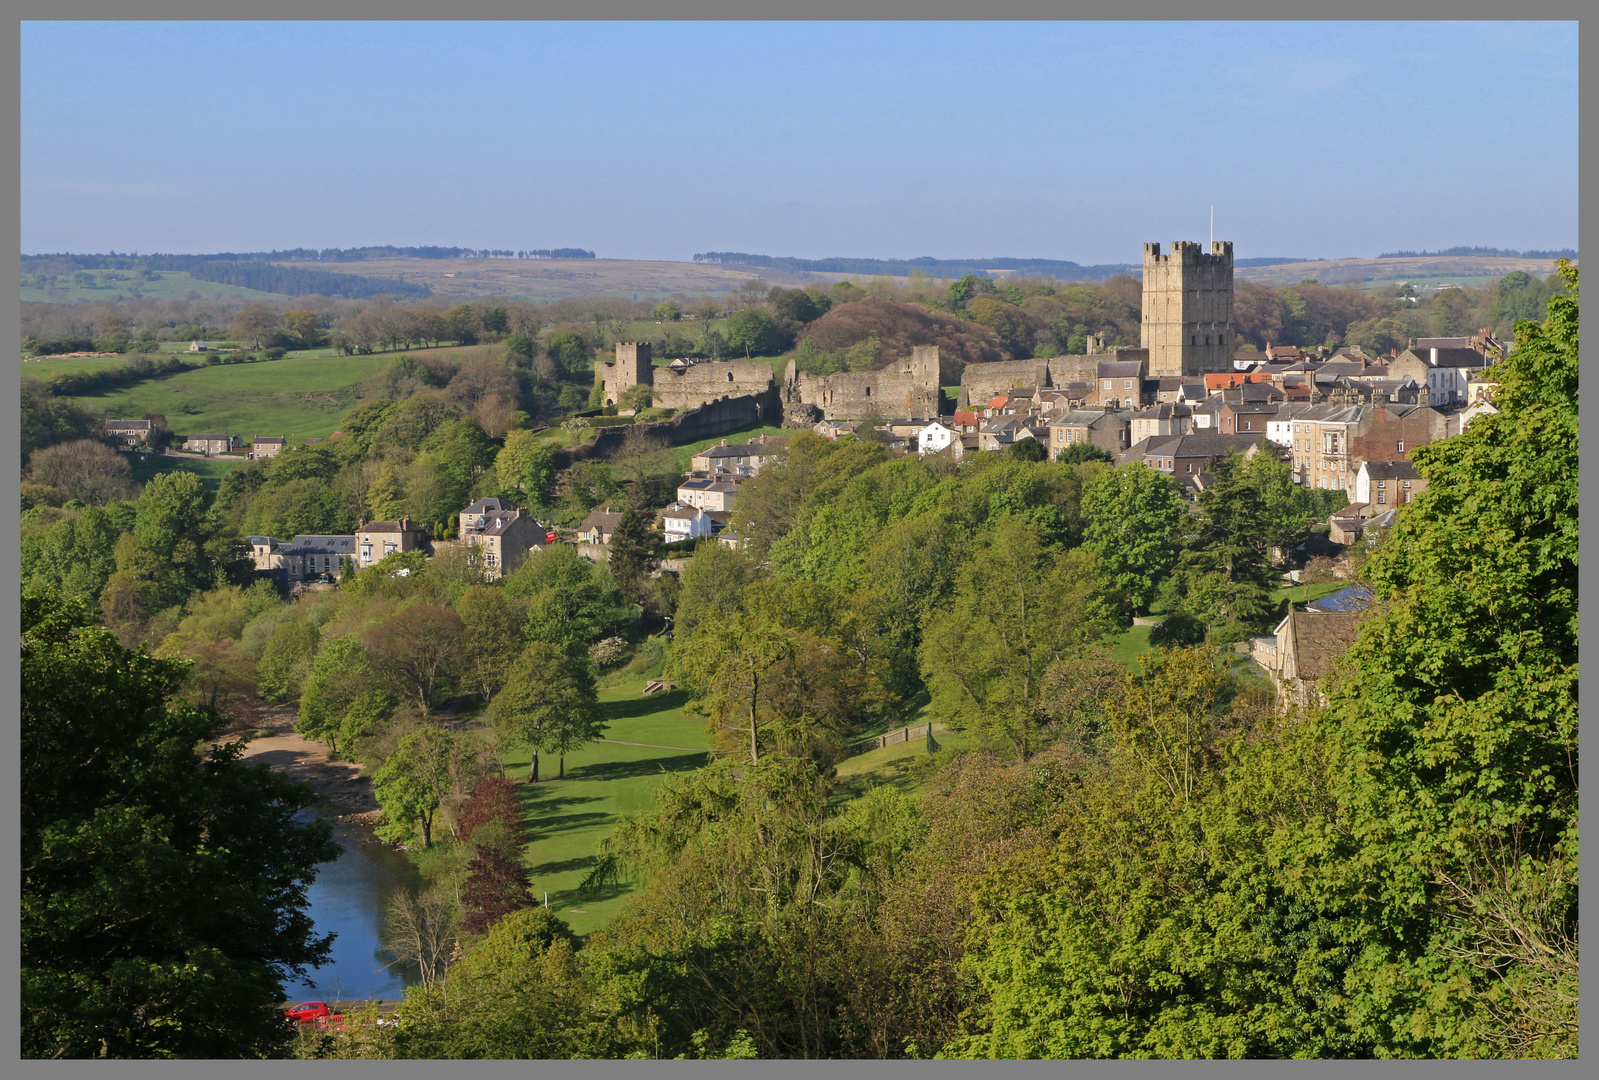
x=348, y=900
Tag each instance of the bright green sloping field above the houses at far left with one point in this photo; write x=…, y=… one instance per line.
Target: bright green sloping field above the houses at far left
x=250, y=399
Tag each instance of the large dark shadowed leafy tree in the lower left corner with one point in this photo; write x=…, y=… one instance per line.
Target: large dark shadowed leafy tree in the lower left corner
x=164, y=892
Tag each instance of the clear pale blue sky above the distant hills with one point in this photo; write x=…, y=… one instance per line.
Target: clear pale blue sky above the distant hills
x=872, y=140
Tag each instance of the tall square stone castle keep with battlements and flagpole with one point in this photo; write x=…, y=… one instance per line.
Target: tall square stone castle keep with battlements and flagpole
x=1189, y=310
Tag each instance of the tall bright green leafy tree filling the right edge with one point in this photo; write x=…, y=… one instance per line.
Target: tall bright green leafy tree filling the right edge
x=1453, y=858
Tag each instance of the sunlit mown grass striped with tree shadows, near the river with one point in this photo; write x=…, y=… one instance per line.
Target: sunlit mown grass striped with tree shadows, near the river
x=605, y=782
